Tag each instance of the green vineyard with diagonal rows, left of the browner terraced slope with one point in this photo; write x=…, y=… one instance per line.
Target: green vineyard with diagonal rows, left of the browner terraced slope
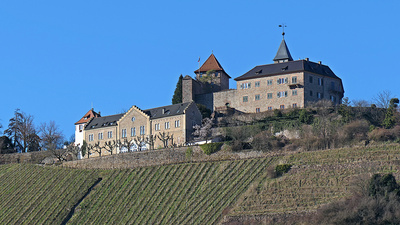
x=193, y=193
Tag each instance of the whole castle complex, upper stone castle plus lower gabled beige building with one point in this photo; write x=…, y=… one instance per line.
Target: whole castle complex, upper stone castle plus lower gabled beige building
x=283, y=84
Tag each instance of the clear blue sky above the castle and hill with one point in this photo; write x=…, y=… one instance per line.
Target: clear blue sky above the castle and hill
x=58, y=58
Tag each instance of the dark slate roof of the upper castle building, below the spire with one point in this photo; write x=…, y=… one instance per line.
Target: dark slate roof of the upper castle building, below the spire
x=288, y=67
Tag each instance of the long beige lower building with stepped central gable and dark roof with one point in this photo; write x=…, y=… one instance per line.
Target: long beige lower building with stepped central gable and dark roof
x=177, y=120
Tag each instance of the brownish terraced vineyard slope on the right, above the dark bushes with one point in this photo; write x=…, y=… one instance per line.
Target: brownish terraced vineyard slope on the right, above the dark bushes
x=316, y=178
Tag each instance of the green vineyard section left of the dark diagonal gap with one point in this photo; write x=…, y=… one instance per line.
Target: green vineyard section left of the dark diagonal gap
x=32, y=194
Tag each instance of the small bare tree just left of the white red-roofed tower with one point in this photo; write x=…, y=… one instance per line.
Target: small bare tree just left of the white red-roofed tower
x=51, y=136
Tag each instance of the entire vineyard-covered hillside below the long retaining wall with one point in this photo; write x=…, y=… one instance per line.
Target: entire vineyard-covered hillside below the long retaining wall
x=229, y=192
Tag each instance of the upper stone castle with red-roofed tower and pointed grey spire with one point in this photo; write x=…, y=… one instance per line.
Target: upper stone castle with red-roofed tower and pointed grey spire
x=283, y=84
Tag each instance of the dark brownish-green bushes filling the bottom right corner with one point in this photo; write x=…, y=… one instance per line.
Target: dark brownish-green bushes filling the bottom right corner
x=381, y=205
